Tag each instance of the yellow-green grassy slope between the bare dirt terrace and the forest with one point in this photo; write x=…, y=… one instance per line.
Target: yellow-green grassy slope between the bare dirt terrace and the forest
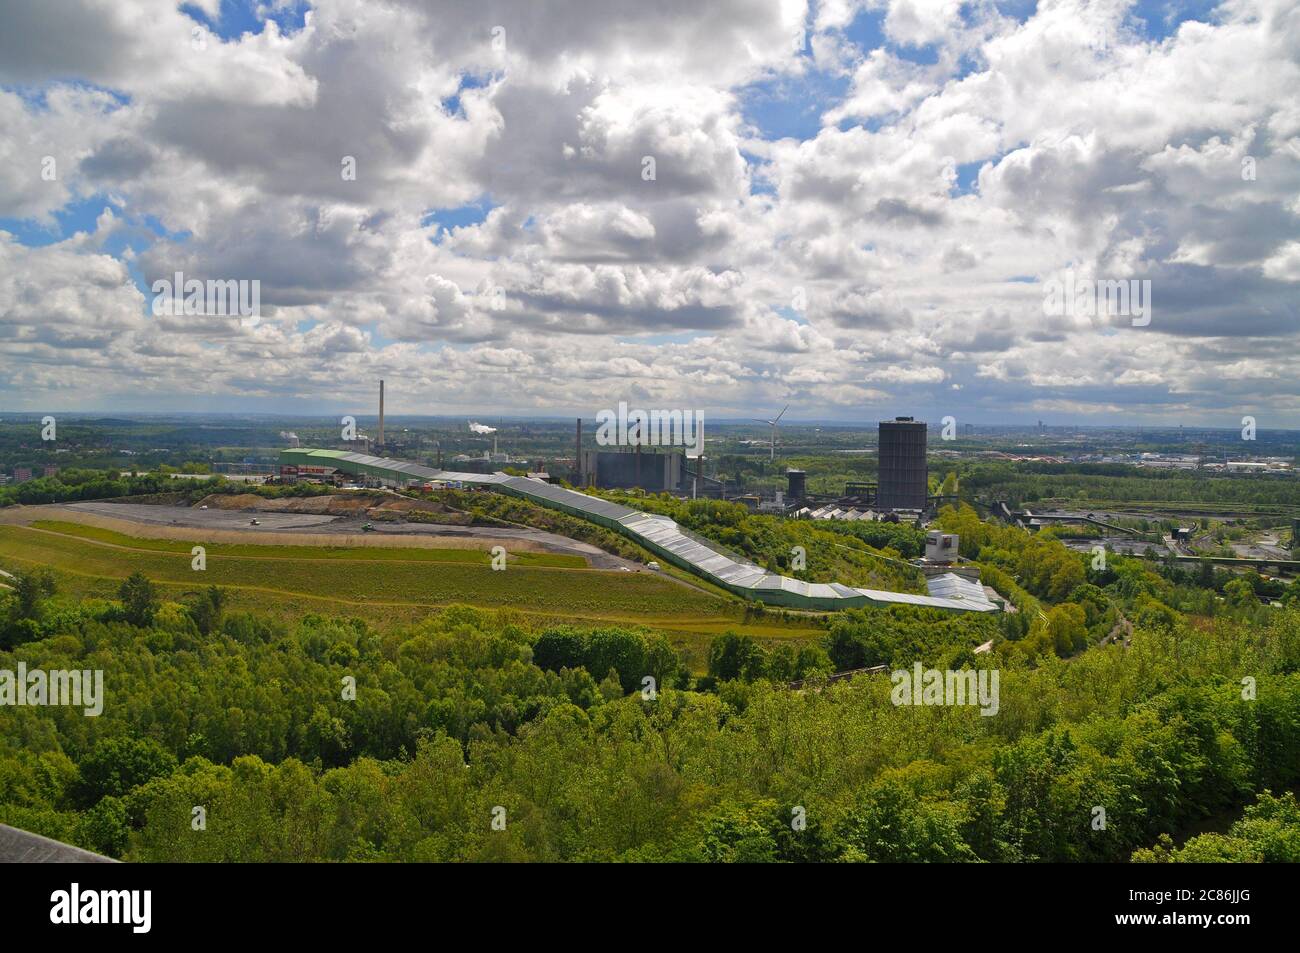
x=387, y=586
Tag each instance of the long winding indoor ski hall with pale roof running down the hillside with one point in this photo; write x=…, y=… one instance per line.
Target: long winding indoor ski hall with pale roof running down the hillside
x=660, y=535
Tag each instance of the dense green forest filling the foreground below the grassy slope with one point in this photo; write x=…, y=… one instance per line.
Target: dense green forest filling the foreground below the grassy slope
x=479, y=737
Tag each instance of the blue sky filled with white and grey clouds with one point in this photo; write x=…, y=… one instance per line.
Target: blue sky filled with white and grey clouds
x=860, y=209
